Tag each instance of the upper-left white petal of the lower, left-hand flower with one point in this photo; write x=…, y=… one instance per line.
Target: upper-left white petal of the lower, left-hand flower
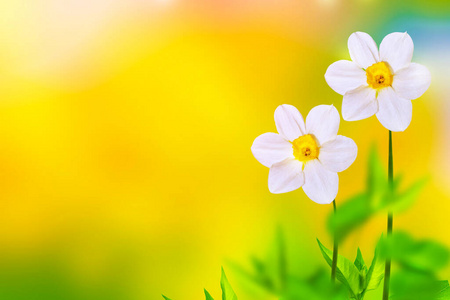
x=289, y=122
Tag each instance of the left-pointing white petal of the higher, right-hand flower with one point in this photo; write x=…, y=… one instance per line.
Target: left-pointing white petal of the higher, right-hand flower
x=345, y=75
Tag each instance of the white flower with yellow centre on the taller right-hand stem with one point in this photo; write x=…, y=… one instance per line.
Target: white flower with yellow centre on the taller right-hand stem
x=379, y=82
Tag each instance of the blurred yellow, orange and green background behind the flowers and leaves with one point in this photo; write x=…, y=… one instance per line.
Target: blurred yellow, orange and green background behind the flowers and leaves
x=125, y=134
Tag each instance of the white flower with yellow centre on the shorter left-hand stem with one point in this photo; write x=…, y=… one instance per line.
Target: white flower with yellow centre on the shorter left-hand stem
x=307, y=155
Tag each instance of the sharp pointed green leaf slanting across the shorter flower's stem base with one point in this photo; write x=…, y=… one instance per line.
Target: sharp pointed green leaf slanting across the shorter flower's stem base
x=346, y=271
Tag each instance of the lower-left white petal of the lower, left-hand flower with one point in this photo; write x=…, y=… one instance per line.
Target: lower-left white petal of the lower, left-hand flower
x=286, y=176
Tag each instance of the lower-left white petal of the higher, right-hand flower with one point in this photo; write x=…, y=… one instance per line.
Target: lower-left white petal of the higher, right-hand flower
x=359, y=104
